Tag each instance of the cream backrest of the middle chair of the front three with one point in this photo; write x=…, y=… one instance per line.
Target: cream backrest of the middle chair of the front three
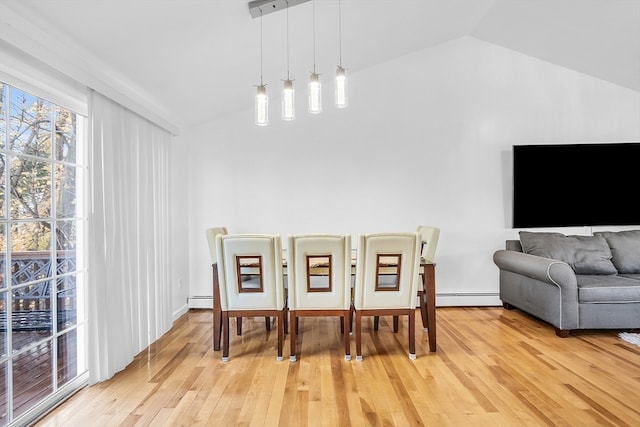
x=319, y=271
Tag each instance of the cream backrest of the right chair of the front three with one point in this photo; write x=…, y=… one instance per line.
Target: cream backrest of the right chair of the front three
x=387, y=270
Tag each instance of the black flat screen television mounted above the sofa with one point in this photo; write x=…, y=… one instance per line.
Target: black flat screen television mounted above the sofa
x=562, y=185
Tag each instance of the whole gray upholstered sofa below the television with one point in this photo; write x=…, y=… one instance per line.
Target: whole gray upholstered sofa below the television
x=573, y=282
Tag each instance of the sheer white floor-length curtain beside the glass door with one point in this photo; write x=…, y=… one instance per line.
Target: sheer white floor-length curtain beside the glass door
x=129, y=293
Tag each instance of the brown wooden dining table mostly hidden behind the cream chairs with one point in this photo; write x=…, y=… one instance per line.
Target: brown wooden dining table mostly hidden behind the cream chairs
x=426, y=300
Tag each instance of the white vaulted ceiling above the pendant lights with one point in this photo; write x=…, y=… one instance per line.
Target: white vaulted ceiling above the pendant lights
x=192, y=61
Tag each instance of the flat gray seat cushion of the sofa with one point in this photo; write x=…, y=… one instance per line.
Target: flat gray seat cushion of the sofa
x=607, y=289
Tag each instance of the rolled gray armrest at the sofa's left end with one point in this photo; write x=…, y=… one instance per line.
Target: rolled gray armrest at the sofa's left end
x=544, y=287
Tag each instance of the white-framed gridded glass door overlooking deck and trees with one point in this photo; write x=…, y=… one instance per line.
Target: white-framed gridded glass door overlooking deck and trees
x=42, y=321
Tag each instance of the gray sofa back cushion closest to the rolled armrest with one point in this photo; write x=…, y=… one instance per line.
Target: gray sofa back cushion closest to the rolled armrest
x=585, y=254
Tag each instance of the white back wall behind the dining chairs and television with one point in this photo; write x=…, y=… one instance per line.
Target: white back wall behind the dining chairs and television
x=426, y=140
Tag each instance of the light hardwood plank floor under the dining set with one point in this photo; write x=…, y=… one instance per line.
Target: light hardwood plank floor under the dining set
x=493, y=367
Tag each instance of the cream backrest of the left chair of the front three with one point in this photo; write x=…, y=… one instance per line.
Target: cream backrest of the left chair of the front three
x=250, y=271
